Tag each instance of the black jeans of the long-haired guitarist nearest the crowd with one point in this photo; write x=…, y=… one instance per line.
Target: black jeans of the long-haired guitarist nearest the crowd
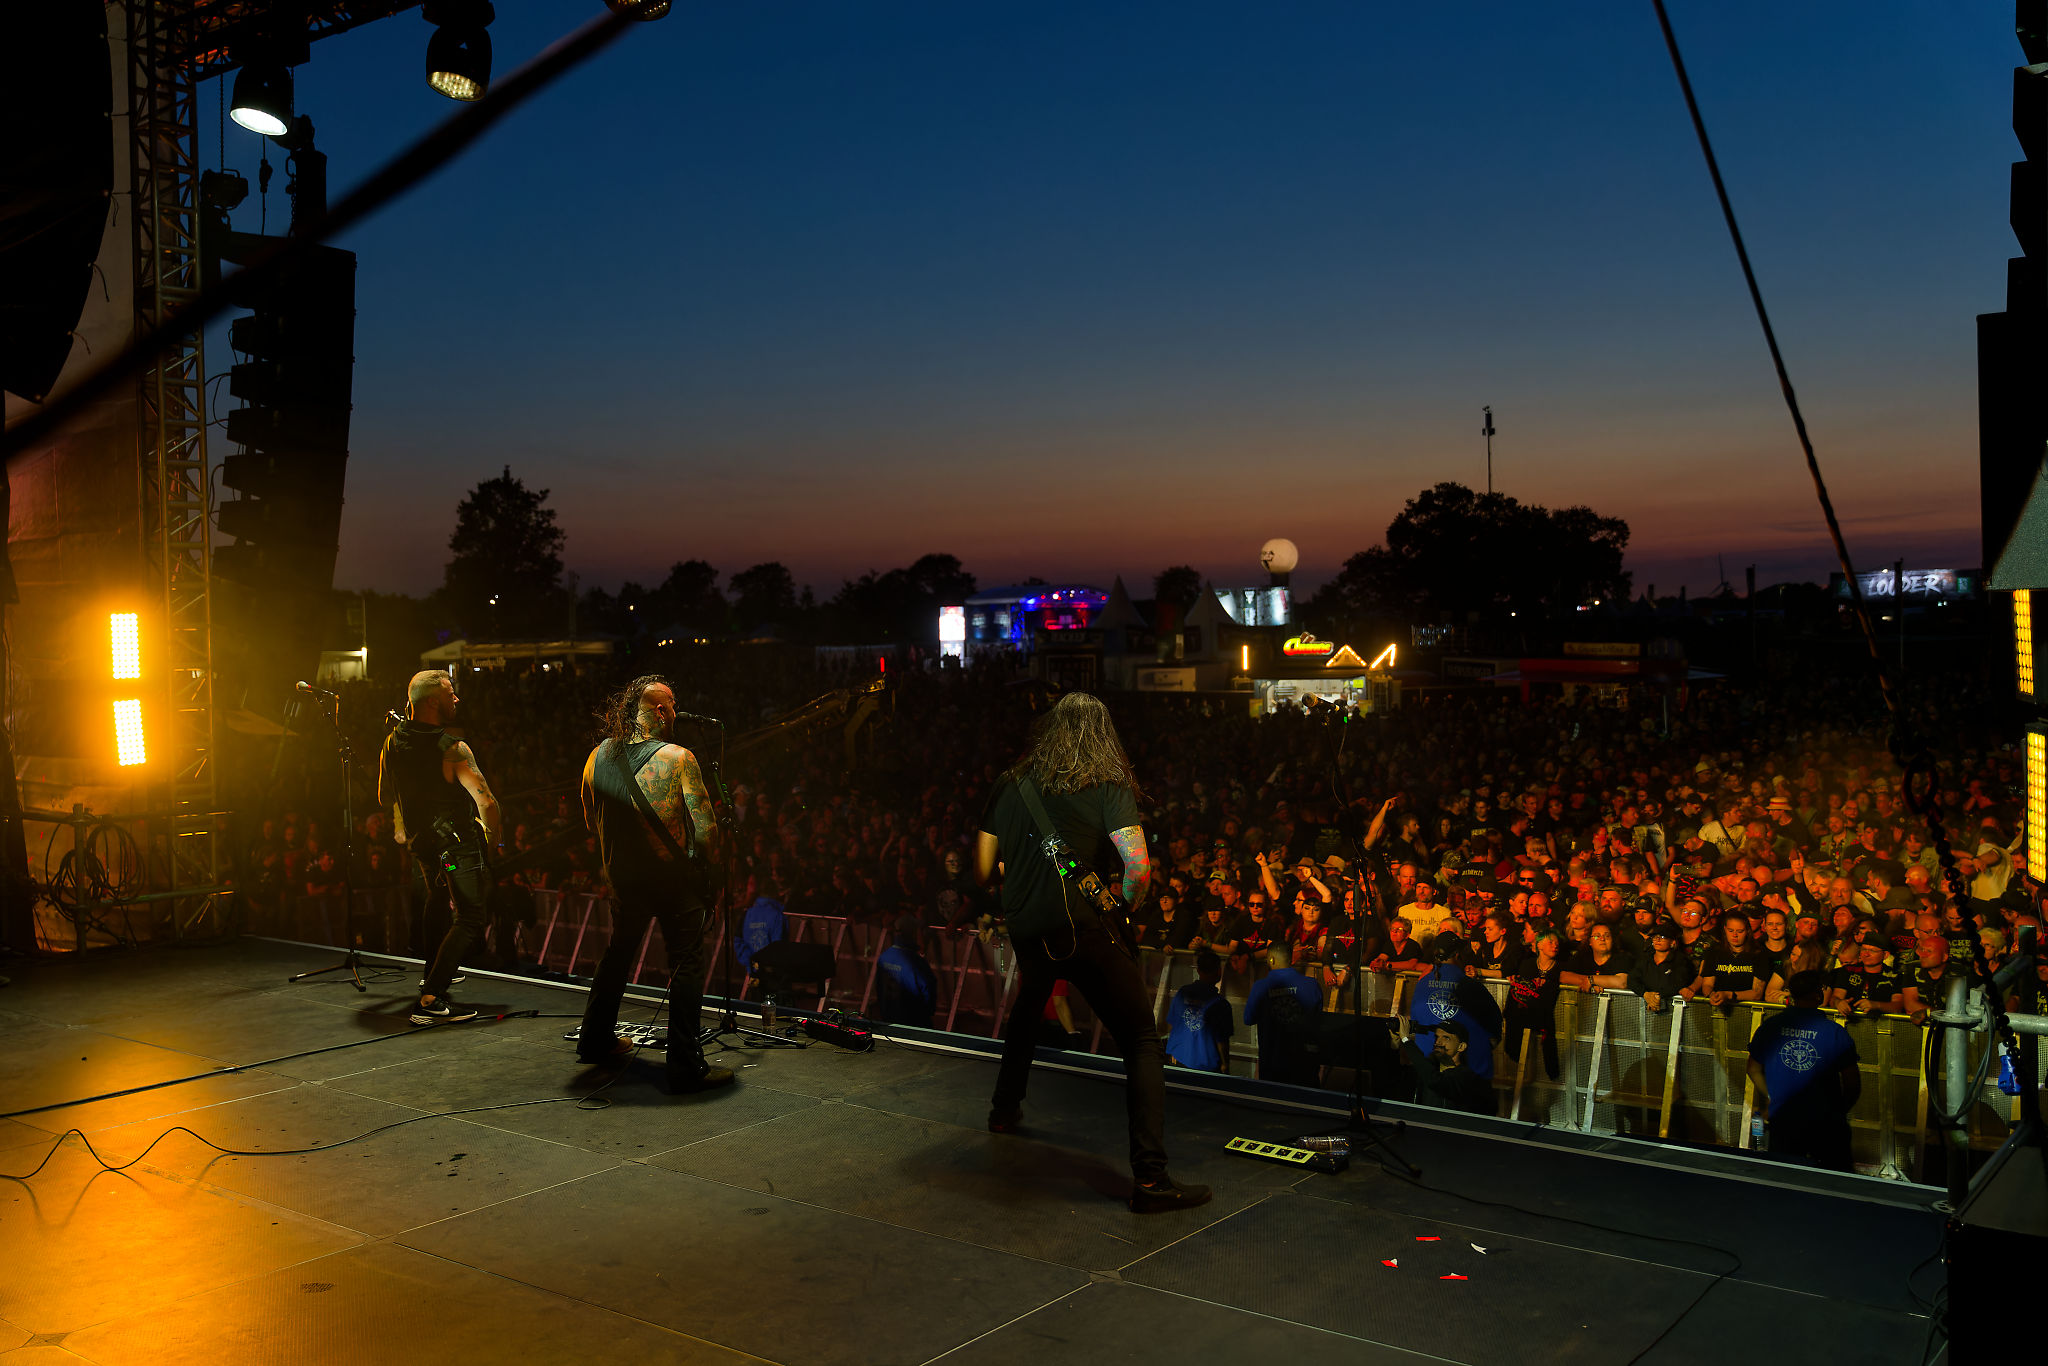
x=1115, y=990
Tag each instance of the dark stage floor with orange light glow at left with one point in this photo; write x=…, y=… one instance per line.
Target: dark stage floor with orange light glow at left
x=833, y=1209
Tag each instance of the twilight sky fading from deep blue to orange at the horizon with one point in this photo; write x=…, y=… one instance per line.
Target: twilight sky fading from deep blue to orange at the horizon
x=1093, y=288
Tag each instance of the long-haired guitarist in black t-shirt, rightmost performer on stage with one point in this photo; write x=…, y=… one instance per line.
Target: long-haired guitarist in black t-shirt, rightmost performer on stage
x=1060, y=822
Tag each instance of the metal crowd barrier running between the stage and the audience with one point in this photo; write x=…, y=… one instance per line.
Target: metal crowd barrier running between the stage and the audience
x=1674, y=1076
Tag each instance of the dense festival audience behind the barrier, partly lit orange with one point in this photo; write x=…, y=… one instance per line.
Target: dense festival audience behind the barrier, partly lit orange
x=1709, y=853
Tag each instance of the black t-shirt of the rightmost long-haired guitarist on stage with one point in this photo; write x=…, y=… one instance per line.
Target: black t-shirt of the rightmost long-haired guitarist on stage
x=1035, y=898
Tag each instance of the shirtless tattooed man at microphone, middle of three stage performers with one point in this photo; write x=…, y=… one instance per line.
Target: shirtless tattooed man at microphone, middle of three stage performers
x=648, y=804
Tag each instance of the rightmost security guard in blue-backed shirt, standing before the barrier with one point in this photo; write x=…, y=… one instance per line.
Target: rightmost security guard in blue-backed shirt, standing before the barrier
x=1807, y=1078
